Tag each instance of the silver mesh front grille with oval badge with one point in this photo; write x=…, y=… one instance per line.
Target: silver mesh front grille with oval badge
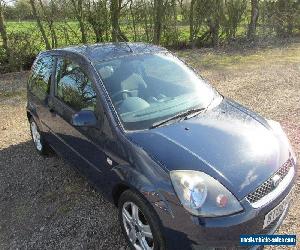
x=268, y=186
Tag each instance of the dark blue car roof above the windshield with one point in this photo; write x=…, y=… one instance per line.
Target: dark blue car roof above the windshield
x=106, y=51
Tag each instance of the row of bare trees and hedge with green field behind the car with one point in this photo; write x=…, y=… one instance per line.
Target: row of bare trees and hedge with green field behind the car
x=28, y=26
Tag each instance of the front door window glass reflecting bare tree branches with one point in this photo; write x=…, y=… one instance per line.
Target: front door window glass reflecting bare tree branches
x=74, y=87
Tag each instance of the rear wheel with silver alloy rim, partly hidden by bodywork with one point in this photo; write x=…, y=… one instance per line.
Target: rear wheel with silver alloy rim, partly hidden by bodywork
x=38, y=141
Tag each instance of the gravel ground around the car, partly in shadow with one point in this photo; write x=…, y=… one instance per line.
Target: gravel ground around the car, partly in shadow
x=45, y=204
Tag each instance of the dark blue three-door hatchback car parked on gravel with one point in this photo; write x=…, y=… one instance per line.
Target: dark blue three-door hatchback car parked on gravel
x=186, y=167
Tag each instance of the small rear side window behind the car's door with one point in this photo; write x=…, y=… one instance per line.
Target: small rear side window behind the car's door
x=39, y=82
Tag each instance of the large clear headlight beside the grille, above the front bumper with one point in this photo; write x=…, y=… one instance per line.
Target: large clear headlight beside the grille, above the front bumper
x=203, y=195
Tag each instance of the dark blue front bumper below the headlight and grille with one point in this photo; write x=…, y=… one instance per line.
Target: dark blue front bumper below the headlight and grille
x=185, y=231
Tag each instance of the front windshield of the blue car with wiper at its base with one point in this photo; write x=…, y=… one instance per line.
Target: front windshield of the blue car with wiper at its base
x=149, y=88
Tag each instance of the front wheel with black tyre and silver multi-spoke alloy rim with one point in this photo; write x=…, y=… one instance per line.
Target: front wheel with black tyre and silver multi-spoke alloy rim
x=136, y=226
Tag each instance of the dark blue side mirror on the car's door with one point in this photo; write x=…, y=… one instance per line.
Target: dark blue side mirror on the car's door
x=84, y=118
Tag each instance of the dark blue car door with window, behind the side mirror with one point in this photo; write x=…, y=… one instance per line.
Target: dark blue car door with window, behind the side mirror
x=82, y=146
